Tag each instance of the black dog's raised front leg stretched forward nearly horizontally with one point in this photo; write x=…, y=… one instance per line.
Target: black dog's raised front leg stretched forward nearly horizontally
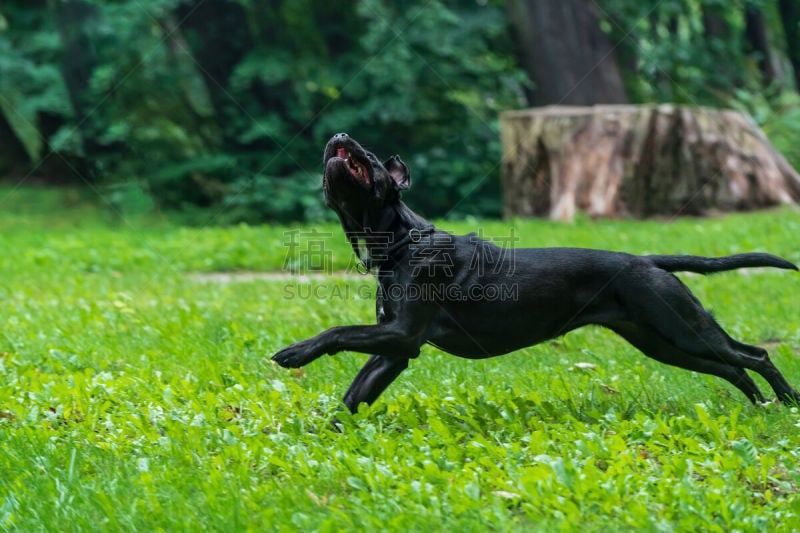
x=390, y=339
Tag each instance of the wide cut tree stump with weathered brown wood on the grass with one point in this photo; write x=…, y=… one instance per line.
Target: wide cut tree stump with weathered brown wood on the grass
x=618, y=160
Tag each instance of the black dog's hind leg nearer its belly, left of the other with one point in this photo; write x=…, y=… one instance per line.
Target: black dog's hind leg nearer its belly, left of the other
x=654, y=345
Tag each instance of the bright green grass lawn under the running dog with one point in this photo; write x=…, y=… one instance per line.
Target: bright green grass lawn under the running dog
x=136, y=395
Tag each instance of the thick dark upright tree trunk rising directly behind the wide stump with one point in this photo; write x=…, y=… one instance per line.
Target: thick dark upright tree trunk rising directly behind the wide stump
x=565, y=53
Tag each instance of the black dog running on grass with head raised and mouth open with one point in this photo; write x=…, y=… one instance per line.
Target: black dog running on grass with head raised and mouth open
x=475, y=300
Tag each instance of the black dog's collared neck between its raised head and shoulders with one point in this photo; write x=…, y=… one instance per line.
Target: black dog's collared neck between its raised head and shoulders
x=383, y=232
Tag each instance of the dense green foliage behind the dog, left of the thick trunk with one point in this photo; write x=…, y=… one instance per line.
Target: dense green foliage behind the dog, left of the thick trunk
x=228, y=104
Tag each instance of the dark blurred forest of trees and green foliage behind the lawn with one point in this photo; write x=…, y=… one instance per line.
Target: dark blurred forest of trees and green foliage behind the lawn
x=188, y=105
